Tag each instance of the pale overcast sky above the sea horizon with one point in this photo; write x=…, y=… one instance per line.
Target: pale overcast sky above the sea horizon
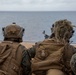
x=37, y=5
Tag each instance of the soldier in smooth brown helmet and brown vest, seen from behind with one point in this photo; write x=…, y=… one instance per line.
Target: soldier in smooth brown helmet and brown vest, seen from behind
x=15, y=59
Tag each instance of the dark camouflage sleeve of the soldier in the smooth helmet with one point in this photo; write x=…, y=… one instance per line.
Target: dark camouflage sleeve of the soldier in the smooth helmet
x=26, y=64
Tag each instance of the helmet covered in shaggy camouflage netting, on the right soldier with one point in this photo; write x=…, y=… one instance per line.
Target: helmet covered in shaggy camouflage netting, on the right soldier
x=63, y=30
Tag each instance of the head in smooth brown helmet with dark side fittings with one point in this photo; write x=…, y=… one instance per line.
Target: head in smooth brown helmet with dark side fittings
x=13, y=32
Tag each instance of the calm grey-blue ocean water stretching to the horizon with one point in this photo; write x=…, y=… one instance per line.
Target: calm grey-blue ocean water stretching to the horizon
x=36, y=22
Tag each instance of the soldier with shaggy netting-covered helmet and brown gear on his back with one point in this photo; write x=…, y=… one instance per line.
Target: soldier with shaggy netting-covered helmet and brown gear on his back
x=53, y=55
